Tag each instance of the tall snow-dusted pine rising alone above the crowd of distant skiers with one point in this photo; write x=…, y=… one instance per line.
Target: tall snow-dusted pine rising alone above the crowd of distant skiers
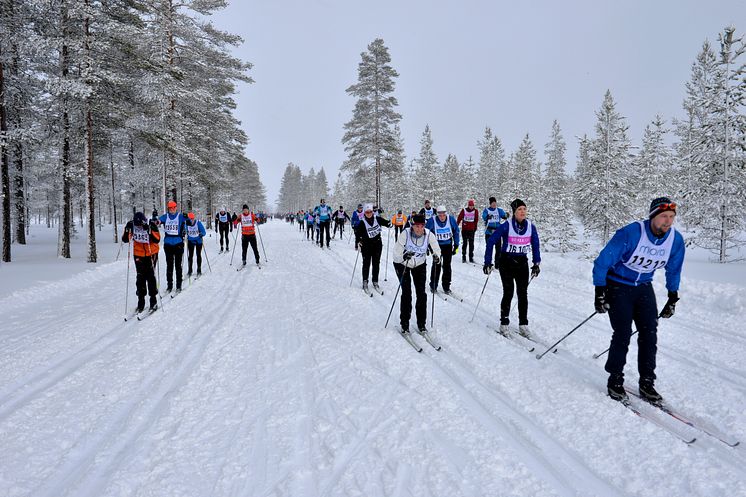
x=370, y=136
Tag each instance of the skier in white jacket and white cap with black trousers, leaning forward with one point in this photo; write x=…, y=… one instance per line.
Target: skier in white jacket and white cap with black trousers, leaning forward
x=410, y=263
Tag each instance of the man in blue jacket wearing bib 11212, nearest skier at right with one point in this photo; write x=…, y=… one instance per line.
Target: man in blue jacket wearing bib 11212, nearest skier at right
x=623, y=274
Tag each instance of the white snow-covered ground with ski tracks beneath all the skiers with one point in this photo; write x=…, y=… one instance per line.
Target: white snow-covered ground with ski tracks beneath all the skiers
x=284, y=382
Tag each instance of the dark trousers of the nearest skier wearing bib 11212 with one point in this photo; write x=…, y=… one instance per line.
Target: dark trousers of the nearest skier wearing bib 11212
x=628, y=304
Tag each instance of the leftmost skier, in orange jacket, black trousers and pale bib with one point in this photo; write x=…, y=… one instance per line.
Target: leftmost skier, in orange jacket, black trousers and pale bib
x=145, y=238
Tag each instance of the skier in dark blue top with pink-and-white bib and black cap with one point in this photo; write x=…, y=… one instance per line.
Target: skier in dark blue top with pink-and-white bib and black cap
x=515, y=238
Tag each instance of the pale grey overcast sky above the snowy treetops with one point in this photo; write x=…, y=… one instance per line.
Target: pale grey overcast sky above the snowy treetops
x=463, y=65
